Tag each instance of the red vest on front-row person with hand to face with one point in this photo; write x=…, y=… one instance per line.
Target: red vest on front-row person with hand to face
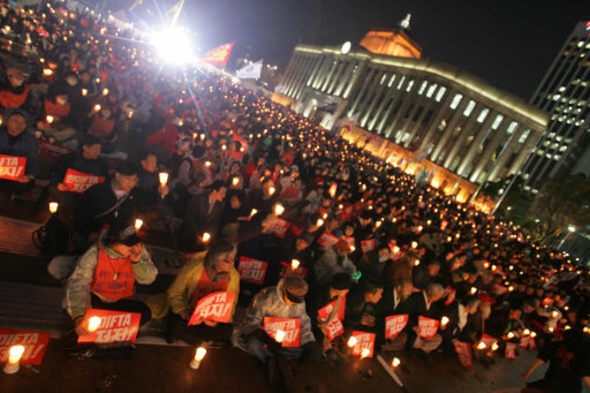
x=113, y=277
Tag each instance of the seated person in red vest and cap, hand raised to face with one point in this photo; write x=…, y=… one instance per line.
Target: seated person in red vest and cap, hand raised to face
x=105, y=276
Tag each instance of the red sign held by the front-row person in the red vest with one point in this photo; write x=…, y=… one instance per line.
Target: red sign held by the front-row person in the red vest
x=115, y=326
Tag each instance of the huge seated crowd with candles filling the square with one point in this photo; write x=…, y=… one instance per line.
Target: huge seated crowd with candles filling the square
x=346, y=240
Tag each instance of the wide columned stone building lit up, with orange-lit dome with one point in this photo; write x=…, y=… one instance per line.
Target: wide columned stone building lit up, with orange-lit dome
x=454, y=119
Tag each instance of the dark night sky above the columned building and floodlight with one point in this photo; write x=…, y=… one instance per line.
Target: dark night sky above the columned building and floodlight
x=507, y=43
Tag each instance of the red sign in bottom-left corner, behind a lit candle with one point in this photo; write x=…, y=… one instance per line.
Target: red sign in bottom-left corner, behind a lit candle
x=35, y=344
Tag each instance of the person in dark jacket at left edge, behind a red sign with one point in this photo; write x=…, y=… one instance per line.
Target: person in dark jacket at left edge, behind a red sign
x=17, y=141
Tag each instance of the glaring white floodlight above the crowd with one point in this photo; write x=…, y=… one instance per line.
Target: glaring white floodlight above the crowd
x=173, y=45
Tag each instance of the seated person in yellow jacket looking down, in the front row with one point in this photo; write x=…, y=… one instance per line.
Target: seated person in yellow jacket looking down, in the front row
x=209, y=271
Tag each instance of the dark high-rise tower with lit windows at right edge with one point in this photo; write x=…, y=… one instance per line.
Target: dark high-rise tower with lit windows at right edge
x=564, y=93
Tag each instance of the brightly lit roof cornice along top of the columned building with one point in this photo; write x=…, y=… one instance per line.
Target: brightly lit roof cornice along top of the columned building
x=448, y=72
